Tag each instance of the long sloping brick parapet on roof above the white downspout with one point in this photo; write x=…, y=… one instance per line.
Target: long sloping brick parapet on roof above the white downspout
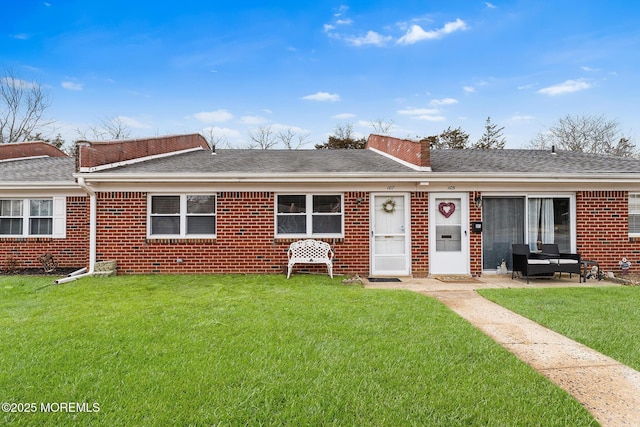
x=93, y=154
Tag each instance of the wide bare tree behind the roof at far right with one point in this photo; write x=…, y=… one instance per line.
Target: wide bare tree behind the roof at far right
x=589, y=134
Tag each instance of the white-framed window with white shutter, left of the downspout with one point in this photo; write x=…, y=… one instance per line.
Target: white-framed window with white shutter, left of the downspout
x=33, y=217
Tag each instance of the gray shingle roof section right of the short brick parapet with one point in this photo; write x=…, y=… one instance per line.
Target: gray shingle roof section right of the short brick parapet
x=529, y=161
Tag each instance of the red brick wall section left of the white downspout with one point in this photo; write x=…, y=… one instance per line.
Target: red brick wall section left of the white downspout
x=70, y=252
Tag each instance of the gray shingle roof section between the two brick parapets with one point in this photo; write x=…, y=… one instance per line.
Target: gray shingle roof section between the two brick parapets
x=227, y=161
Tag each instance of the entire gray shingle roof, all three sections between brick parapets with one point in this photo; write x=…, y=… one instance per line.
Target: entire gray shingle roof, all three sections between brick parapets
x=240, y=162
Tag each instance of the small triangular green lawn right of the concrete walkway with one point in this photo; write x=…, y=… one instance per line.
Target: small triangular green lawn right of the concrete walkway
x=604, y=319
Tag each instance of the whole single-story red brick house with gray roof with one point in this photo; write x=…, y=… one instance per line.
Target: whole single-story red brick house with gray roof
x=172, y=205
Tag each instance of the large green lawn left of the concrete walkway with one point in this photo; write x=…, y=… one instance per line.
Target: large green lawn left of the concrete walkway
x=257, y=350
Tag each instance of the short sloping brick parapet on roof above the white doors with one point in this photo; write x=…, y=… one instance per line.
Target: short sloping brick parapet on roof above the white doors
x=413, y=152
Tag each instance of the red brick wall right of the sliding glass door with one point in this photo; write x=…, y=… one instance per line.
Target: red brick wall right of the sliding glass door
x=602, y=229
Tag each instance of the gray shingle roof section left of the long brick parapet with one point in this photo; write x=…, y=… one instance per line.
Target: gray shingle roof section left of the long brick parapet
x=38, y=170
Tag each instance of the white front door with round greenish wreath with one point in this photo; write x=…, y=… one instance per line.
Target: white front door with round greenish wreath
x=390, y=235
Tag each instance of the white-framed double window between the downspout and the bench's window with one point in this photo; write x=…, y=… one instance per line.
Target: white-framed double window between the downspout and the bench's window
x=184, y=215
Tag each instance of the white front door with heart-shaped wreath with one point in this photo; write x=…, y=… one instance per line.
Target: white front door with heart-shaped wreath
x=448, y=233
